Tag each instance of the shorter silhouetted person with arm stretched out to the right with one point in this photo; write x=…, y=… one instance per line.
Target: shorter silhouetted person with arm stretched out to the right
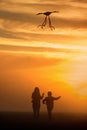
x=49, y=101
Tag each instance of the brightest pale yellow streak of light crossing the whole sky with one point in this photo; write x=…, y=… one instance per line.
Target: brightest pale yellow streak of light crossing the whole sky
x=44, y=44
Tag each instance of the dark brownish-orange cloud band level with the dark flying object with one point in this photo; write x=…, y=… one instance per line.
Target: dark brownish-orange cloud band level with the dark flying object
x=28, y=19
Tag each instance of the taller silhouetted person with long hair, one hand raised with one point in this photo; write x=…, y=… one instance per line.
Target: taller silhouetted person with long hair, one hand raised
x=36, y=97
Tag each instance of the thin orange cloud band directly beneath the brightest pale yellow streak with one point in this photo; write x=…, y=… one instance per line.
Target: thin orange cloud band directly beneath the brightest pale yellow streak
x=34, y=48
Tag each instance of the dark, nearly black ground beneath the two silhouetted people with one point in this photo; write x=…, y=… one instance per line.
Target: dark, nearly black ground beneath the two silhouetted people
x=14, y=120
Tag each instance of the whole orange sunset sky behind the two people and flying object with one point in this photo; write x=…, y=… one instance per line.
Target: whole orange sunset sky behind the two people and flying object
x=54, y=60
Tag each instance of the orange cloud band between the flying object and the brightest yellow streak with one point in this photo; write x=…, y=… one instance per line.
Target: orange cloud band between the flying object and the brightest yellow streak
x=38, y=37
